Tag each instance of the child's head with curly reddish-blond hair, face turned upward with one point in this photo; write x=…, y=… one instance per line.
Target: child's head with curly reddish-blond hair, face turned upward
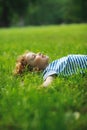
x=32, y=62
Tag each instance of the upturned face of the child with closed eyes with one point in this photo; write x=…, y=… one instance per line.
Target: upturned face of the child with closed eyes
x=37, y=60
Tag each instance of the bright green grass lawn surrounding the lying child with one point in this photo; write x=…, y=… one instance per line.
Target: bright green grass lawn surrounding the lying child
x=61, y=106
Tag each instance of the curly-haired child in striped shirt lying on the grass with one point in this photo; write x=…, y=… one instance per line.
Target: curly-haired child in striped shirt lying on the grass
x=66, y=66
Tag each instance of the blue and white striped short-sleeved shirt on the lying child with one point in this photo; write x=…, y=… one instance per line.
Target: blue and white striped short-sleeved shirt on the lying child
x=66, y=66
